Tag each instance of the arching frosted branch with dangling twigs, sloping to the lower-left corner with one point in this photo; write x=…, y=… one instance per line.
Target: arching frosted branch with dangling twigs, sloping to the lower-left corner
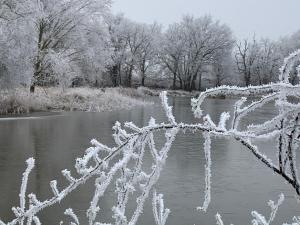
x=130, y=147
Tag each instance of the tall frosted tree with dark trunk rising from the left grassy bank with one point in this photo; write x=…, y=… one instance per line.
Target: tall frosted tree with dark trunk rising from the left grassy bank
x=51, y=25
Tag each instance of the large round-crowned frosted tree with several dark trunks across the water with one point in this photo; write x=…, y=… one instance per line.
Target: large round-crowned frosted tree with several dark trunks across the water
x=198, y=41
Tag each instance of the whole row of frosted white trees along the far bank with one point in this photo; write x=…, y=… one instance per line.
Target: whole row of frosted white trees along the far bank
x=81, y=42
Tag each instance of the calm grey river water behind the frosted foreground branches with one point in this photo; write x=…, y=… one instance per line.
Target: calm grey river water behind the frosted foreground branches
x=239, y=182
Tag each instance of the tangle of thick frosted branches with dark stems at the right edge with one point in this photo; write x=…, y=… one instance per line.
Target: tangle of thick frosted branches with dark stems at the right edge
x=283, y=126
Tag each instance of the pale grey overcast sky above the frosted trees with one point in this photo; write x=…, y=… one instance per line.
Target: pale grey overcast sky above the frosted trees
x=265, y=18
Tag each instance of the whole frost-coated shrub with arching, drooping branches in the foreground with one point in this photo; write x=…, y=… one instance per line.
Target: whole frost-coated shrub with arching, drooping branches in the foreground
x=123, y=163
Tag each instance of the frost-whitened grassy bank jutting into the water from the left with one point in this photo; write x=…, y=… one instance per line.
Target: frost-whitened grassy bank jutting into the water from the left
x=19, y=101
